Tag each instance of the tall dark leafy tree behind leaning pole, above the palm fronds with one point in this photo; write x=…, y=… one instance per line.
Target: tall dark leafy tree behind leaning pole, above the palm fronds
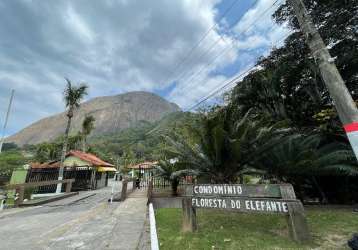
x=287, y=83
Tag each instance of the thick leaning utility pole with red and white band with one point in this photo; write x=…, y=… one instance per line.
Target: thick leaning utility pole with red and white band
x=345, y=106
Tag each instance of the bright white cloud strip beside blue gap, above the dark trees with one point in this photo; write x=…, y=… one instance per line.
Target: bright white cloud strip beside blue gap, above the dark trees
x=251, y=37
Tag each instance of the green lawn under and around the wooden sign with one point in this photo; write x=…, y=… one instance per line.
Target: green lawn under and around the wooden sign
x=330, y=229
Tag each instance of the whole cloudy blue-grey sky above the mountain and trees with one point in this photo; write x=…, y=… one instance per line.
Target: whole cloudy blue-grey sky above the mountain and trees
x=116, y=46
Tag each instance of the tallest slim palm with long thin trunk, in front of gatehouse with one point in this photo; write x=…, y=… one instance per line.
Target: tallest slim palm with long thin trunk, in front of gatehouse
x=73, y=96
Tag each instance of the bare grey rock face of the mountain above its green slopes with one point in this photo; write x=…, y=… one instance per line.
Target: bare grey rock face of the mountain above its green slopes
x=112, y=114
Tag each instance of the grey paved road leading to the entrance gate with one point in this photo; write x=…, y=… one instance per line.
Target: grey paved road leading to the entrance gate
x=86, y=221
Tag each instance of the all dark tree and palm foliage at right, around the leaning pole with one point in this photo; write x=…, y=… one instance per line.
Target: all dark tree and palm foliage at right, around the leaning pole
x=287, y=85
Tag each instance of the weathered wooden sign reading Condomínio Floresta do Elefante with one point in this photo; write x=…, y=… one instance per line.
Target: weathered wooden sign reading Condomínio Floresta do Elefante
x=280, y=199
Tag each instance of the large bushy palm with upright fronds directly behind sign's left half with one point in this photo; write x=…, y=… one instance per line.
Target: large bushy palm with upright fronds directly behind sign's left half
x=225, y=149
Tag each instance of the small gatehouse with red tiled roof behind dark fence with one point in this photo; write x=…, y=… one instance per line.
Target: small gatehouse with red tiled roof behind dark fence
x=89, y=171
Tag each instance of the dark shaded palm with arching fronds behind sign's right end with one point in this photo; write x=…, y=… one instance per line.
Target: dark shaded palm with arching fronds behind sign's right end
x=300, y=158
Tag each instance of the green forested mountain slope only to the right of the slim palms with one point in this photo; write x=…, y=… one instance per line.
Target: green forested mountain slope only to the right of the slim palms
x=143, y=142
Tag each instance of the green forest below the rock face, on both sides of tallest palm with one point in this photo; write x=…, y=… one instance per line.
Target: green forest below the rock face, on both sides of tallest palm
x=143, y=142
